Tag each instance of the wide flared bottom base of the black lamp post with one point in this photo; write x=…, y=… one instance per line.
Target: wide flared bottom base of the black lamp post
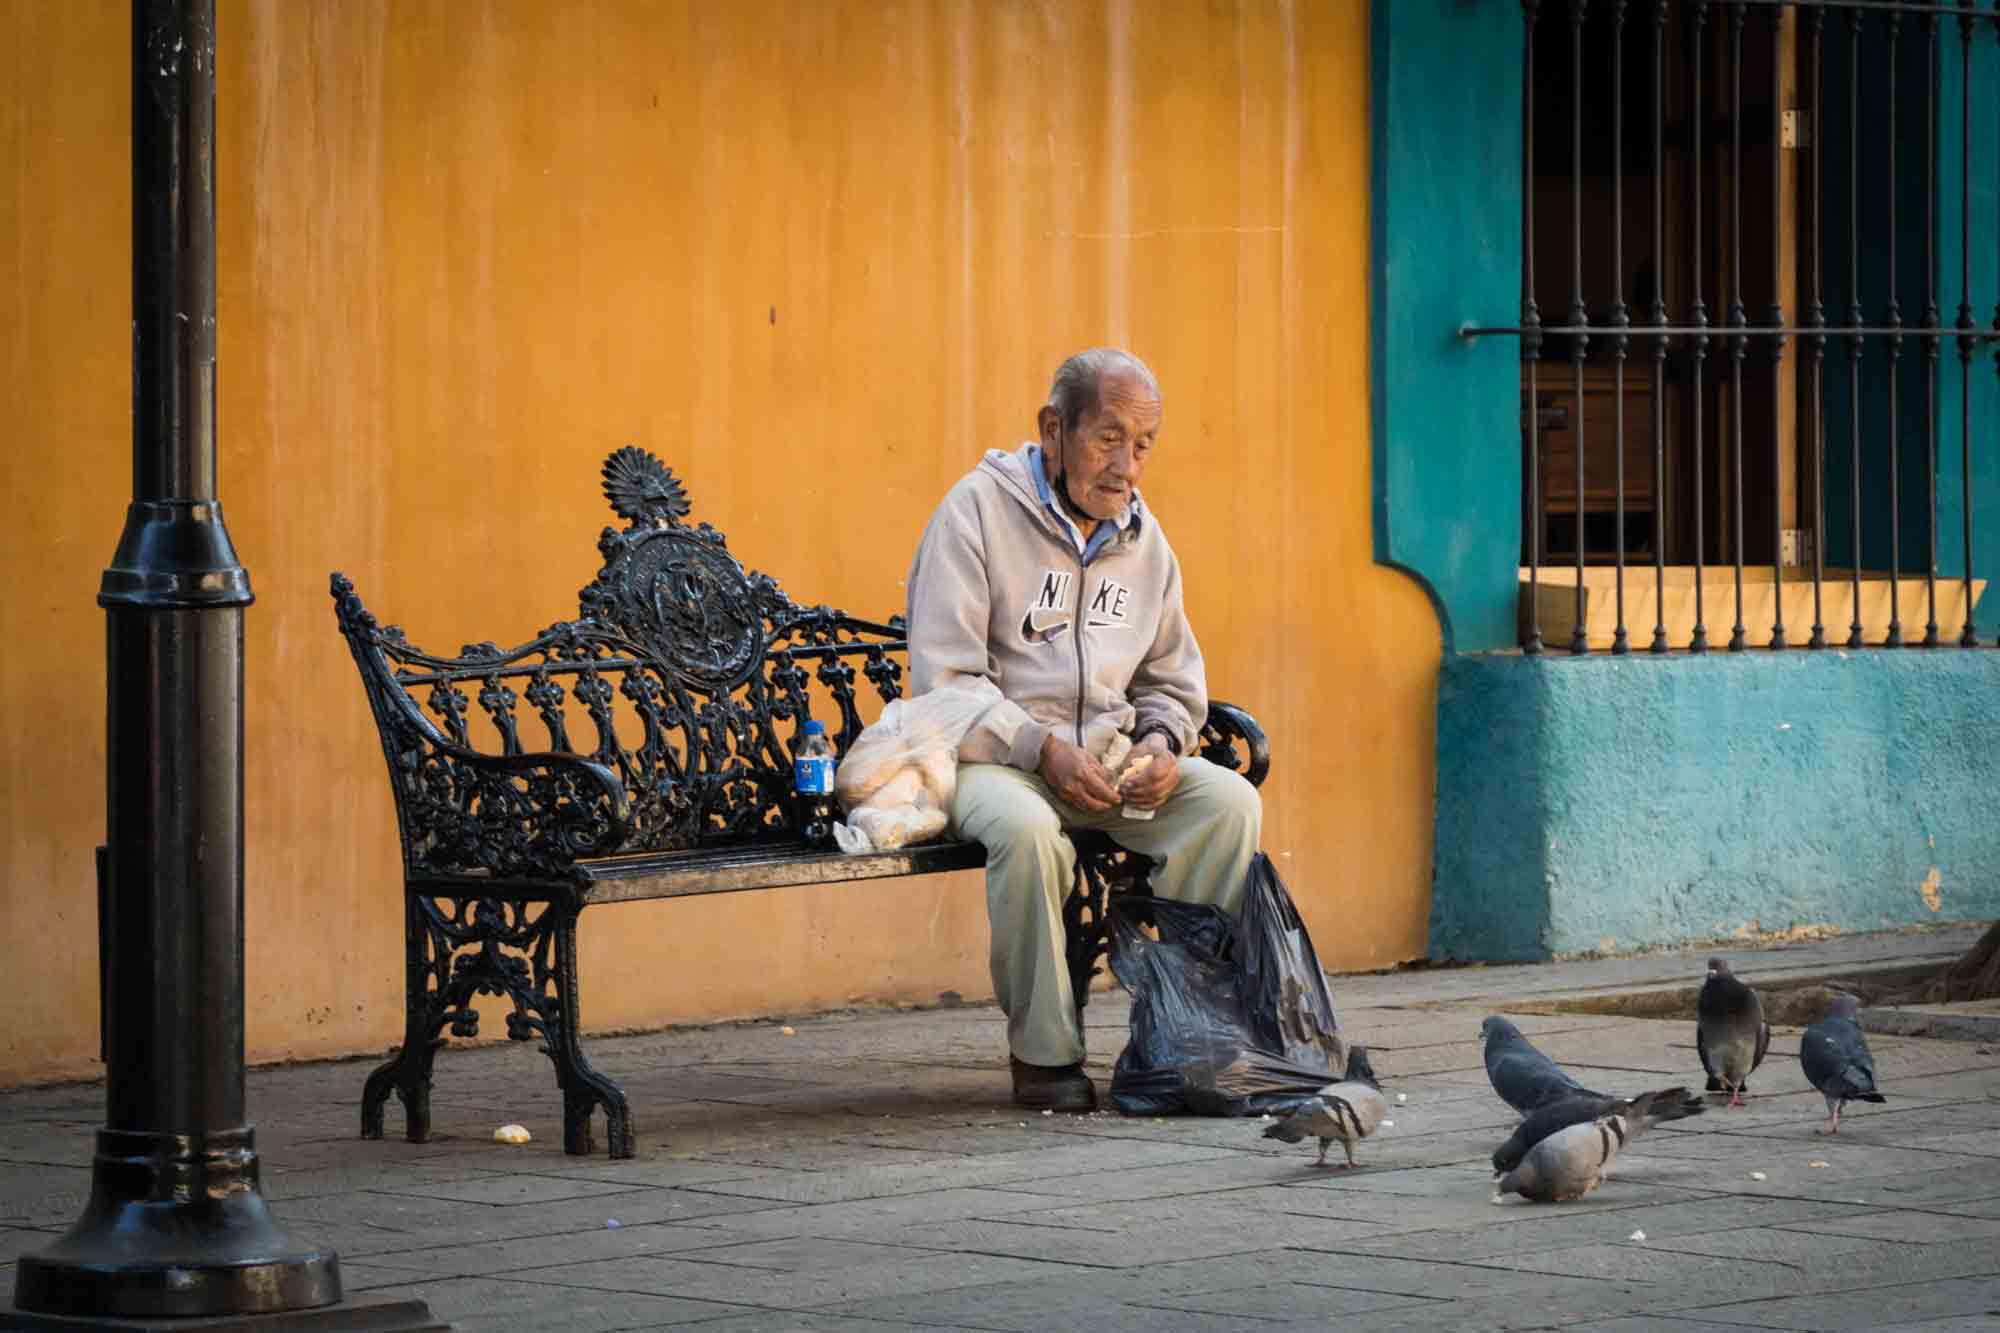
x=175, y=1228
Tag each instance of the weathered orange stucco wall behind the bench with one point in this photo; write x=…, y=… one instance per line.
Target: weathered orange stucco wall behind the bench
x=819, y=255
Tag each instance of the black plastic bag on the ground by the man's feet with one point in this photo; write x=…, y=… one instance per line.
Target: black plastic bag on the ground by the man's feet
x=1229, y=1014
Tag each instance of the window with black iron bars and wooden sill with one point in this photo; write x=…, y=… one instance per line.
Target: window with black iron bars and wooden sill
x=1751, y=321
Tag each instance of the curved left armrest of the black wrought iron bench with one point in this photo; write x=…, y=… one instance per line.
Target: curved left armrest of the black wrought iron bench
x=511, y=816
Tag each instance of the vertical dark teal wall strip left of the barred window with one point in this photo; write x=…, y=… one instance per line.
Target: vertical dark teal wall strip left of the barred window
x=1447, y=253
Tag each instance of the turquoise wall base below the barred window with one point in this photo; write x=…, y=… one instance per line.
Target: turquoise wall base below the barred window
x=1607, y=806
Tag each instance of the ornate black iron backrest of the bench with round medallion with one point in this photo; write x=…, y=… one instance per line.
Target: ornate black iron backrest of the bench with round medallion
x=685, y=684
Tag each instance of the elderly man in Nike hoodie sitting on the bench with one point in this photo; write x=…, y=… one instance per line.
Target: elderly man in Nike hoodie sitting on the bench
x=1047, y=575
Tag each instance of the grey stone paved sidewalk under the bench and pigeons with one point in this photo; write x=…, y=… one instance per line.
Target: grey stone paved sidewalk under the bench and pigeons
x=865, y=1174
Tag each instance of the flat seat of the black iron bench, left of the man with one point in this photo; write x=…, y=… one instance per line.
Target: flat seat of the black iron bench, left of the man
x=773, y=866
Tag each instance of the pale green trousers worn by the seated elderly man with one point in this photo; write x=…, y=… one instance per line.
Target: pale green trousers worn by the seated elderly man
x=1203, y=840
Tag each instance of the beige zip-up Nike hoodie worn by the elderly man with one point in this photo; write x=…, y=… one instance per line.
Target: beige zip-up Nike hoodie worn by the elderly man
x=995, y=593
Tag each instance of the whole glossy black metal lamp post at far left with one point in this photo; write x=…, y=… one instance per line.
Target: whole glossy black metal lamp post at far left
x=175, y=1226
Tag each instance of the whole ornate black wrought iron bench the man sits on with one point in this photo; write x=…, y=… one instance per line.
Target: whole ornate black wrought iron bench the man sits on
x=671, y=710
